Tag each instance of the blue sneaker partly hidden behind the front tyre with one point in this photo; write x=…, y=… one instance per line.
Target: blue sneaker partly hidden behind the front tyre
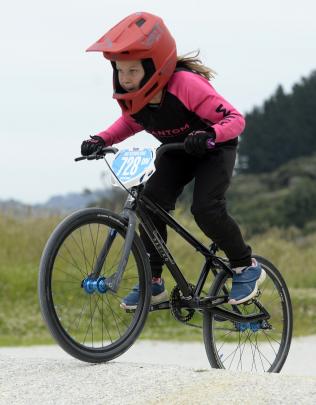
x=158, y=294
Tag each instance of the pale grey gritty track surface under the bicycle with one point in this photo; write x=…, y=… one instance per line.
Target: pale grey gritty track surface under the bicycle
x=152, y=373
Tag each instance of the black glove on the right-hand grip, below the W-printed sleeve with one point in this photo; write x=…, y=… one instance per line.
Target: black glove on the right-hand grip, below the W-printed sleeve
x=197, y=143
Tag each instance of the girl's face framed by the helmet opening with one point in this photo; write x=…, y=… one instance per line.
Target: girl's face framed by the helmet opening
x=130, y=74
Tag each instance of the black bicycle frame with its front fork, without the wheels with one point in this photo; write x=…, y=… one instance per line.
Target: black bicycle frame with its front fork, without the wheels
x=141, y=206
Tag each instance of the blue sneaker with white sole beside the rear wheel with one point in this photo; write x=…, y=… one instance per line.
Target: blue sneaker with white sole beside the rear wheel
x=245, y=284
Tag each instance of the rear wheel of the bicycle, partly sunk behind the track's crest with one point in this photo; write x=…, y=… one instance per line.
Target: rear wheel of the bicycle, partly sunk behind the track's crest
x=259, y=346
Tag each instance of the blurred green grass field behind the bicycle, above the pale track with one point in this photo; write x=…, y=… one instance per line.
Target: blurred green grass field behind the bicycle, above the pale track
x=22, y=241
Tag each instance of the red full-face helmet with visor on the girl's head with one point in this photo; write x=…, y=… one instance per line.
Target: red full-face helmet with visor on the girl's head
x=140, y=36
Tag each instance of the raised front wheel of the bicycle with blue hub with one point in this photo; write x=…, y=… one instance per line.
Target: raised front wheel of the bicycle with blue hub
x=89, y=324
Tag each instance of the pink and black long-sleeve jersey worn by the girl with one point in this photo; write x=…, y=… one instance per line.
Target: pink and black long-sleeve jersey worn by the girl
x=189, y=103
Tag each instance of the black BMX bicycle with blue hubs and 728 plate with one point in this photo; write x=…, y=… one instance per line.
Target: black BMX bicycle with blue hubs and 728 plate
x=94, y=257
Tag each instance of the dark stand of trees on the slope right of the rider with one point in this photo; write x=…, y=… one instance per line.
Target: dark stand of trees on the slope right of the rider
x=282, y=129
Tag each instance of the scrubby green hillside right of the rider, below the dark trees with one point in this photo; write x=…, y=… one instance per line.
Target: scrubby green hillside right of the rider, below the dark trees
x=284, y=198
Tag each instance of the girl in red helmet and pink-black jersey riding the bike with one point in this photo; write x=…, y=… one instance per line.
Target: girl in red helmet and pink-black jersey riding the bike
x=171, y=98
